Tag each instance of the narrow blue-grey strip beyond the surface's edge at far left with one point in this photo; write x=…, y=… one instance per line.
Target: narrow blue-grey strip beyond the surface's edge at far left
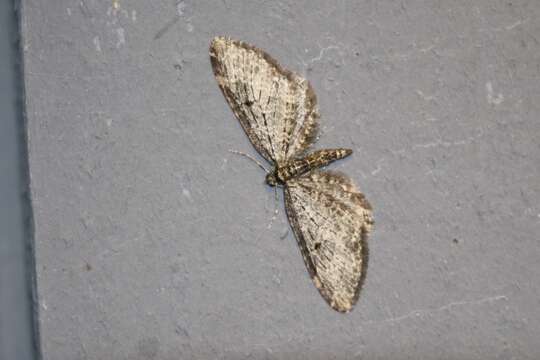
x=17, y=340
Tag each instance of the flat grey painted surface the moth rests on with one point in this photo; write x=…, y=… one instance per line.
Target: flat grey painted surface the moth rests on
x=153, y=241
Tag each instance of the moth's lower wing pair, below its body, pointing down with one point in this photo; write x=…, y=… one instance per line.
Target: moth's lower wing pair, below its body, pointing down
x=331, y=220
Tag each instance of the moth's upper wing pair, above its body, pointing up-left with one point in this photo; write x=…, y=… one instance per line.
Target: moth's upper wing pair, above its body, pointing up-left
x=277, y=108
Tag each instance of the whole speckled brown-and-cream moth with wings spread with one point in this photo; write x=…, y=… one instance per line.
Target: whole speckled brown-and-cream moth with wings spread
x=329, y=216
